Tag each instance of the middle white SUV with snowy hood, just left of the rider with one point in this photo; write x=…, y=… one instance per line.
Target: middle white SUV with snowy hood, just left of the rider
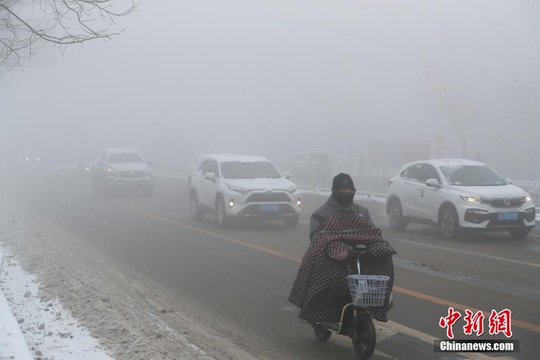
x=236, y=186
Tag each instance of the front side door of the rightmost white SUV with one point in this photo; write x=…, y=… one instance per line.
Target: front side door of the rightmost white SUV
x=429, y=196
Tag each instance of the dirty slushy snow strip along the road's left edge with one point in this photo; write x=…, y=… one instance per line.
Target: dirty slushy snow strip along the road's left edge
x=72, y=302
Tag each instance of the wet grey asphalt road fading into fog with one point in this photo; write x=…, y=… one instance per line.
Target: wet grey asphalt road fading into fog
x=242, y=276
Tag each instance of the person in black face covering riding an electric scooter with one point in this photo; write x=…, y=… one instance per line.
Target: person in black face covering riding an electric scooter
x=342, y=232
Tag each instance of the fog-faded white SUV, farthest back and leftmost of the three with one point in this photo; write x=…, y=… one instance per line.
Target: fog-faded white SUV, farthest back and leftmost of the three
x=122, y=170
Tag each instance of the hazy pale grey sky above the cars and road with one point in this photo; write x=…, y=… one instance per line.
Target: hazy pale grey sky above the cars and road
x=272, y=78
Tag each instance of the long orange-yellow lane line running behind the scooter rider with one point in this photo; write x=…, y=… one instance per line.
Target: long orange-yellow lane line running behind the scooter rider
x=418, y=295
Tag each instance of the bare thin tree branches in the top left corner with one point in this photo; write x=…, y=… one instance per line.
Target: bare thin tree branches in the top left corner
x=26, y=25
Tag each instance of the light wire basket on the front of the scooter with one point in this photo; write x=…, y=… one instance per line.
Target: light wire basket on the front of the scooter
x=368, y=290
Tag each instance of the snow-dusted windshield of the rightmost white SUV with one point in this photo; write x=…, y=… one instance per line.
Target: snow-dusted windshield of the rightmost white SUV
x=467, y=175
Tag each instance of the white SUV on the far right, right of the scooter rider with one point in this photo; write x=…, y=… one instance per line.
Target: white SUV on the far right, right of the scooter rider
x=458, y=194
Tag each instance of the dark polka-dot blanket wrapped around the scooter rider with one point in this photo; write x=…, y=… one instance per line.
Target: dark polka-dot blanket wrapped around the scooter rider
x=320, y=289
